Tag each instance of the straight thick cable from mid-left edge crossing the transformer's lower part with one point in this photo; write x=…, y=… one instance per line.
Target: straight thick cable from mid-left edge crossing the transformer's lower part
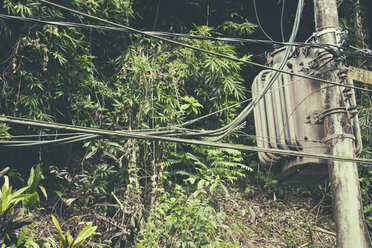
x=123, y=134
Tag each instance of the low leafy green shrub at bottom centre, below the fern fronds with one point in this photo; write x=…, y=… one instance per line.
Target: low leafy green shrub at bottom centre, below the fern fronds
x=183, y=220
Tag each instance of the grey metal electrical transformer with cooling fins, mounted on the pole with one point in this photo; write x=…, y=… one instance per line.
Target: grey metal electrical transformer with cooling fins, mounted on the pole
x=290, y=115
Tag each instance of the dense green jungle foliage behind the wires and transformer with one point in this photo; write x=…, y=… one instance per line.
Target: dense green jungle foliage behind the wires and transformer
x=136, y=193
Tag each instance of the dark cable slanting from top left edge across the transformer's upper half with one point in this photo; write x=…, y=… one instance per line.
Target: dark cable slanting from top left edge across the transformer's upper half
x=200, y=49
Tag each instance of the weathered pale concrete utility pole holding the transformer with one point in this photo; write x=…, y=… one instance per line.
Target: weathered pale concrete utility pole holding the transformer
x=346, y=197
